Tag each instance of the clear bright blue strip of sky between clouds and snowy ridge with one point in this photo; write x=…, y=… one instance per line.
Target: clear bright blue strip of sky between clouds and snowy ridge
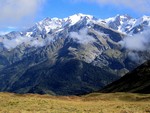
x=64, y=8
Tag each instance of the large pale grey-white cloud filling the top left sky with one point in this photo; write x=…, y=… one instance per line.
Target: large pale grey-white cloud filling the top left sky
x=15, y=11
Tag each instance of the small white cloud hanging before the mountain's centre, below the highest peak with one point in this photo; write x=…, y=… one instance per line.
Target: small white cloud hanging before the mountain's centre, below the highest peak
x=82, y=36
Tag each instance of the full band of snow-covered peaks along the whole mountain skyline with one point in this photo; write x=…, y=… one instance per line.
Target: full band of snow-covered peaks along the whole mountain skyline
x=122, y=23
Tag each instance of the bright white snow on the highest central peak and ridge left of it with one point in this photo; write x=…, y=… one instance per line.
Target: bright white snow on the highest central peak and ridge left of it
x=49, y=24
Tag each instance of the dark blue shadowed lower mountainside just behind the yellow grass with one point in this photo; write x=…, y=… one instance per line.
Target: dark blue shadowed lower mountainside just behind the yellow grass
x=71, y=77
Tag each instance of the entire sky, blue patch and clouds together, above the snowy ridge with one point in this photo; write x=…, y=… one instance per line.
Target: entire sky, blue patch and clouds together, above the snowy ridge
x=17, y=14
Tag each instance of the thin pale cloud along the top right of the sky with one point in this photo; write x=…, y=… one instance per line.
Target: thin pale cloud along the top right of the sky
x=142, y=6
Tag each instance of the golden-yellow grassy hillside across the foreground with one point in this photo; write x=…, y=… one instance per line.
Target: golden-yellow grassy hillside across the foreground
x=92, y=103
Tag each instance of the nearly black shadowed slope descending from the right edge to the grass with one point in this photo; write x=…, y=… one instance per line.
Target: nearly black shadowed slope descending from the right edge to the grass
x=137, y=81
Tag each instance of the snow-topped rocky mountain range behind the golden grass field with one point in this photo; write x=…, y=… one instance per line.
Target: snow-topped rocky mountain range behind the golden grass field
x=71, y=56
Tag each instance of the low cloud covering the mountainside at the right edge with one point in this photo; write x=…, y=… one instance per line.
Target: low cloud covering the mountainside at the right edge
x=136, y=45
